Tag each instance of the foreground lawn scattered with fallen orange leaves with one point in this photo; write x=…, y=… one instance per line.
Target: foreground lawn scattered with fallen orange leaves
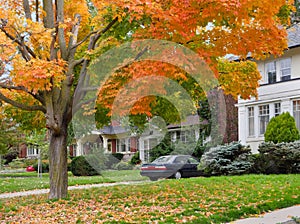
x=194, y=200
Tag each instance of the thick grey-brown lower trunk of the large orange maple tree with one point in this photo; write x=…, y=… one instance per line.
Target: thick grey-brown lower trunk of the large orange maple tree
x=58, y=164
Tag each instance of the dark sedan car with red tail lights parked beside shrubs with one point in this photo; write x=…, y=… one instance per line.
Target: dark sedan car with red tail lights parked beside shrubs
x=172, y=166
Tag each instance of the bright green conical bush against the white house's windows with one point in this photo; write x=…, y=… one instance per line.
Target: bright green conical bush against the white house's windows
x=282, y=129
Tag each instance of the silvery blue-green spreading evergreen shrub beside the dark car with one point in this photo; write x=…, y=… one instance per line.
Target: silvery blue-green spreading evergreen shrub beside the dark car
x=229, y=159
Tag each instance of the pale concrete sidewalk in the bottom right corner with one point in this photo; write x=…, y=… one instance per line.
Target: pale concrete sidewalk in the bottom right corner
x=282, y=216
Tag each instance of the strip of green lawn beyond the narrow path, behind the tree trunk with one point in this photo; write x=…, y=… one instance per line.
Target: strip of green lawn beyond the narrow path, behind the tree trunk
x=13, y=182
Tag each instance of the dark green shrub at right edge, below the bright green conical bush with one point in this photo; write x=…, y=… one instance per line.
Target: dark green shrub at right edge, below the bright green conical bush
x=281, y=158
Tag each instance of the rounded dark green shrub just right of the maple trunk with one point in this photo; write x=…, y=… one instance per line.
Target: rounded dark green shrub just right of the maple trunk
x=88, y=165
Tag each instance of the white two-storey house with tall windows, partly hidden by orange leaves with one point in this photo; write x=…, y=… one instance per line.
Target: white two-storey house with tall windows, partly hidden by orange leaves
x=279, y=92
